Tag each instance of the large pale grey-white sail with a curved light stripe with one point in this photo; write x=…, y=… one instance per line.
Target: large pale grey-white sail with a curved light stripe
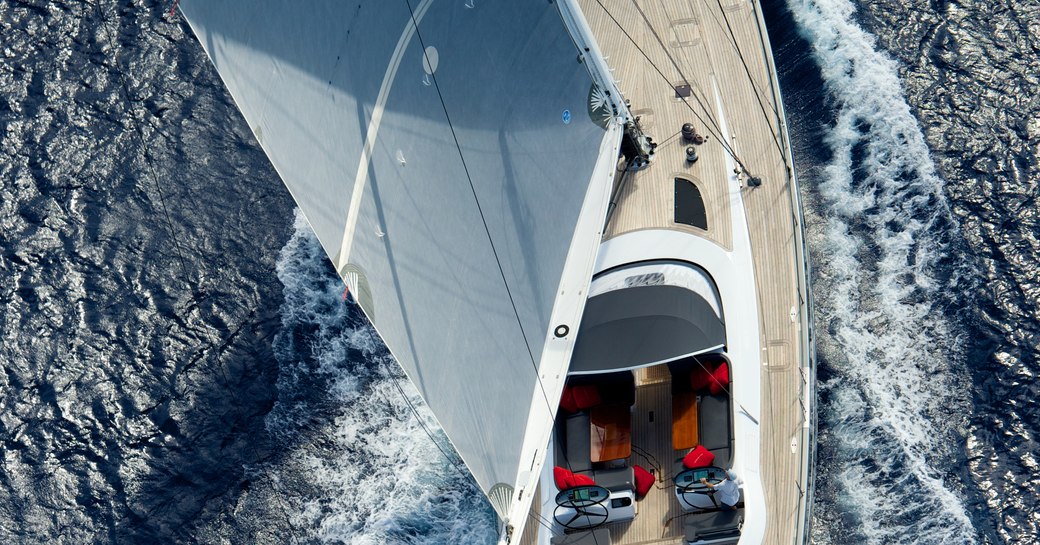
x=445, y=153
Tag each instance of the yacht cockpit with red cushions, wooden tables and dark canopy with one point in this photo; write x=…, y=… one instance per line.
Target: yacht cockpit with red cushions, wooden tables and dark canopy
x=645, y=422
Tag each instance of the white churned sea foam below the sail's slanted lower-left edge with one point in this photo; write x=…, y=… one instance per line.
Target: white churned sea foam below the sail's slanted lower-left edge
x=362, y=471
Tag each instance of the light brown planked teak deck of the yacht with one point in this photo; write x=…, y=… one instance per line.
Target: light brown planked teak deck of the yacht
x=716, y=53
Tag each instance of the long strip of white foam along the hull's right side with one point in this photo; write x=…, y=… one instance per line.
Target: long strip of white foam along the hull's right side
x=895, y=400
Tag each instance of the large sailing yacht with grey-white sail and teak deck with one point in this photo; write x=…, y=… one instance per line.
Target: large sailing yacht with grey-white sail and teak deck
x=577, y=227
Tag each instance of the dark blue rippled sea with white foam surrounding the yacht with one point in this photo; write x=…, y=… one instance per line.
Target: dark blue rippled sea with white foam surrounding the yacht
x=179, y=366
